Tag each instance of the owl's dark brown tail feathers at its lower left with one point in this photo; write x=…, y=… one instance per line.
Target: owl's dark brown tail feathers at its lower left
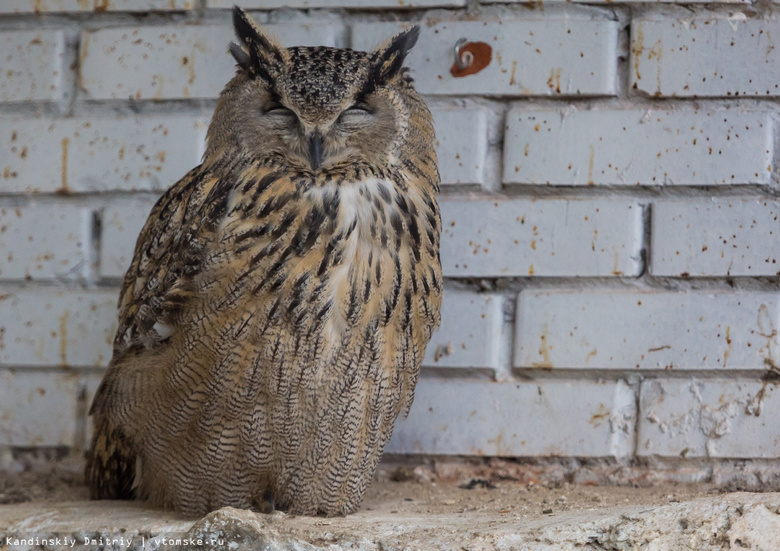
x=111, y=463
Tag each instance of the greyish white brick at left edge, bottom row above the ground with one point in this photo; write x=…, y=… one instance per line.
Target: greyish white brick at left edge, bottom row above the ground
x=38, y=408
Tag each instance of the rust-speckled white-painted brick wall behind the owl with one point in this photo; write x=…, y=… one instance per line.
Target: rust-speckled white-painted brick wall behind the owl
x=609, y=204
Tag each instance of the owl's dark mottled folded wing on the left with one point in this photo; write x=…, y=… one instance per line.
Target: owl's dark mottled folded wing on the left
x=168, y=253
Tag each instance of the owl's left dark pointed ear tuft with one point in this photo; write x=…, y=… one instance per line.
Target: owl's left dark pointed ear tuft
x=265, y=56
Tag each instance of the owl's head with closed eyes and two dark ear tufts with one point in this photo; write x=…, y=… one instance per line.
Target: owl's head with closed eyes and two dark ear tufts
x=313, y=109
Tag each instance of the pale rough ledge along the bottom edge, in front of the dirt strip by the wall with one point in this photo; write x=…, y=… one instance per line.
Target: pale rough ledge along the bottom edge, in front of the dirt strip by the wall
x=738, y=520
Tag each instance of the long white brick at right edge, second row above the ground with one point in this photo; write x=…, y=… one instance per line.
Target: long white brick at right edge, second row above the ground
x=646, y=330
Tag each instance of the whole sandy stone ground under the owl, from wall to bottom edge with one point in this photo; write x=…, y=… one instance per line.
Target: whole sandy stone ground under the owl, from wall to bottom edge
x=408, y=508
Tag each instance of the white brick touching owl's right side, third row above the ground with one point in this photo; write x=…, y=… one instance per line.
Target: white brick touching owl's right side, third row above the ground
x=544, y=237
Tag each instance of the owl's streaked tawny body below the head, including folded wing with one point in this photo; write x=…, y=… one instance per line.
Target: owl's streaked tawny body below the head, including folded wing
x=283, y=320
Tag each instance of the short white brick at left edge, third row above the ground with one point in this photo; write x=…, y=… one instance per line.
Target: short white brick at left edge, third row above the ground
x=40, y=242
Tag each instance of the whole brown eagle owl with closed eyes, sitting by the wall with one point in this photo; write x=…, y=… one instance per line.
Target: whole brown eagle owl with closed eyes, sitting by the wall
x=281, y=294
